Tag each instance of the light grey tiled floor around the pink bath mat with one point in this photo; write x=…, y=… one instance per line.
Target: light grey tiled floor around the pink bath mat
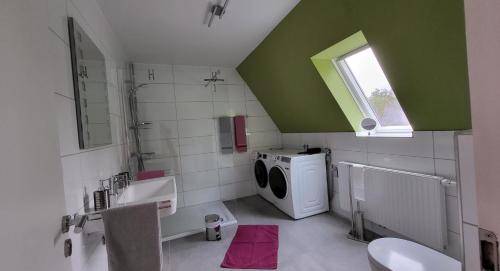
x=313, y=244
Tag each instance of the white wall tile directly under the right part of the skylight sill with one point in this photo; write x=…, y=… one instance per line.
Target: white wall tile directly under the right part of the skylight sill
x=421, y=144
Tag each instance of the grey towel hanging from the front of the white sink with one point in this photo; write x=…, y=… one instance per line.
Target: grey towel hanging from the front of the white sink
x=133, y=239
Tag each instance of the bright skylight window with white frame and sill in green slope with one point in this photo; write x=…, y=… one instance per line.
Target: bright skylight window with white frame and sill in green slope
x=371, y=90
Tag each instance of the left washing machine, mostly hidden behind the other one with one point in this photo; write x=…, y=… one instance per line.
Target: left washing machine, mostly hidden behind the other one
x=262, y=164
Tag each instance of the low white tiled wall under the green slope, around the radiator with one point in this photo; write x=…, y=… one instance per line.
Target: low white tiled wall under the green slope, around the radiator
x=427, y=152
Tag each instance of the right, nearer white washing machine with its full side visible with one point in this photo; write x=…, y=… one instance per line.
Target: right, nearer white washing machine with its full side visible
x=298, y=183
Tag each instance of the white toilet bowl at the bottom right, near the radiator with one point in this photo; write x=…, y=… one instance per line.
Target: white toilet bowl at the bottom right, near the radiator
x=401, y=255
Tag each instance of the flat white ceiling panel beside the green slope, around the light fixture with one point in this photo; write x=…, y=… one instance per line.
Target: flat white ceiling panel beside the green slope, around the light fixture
x=174, y=31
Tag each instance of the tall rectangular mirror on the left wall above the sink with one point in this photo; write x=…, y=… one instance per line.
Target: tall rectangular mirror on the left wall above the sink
x=91, y=89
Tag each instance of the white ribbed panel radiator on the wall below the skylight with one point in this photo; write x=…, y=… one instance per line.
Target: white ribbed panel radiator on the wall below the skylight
x=407, y=203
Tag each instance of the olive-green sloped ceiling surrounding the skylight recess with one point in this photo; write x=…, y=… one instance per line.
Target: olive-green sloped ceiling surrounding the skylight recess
x=419, y=43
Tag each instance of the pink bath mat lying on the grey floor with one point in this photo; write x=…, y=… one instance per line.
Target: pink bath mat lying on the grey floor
x=253, y=247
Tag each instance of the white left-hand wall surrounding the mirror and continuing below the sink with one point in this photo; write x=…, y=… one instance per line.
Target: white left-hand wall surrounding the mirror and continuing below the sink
x=84, y=167
